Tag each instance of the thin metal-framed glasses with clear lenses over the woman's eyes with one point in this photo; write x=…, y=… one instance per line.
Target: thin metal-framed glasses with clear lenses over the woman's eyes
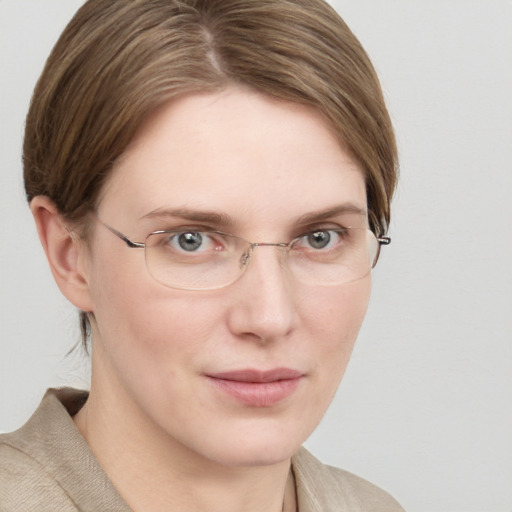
x=206, y=260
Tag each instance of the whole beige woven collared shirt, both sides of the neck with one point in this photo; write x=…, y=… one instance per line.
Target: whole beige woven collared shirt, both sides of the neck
x=47, y=466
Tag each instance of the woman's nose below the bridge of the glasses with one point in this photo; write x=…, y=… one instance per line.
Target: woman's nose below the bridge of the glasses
x=265, y=303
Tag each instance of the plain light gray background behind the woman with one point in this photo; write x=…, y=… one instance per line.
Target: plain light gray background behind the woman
x=425, y=409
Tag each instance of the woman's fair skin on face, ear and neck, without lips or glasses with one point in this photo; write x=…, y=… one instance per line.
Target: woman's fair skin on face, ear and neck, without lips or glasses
x=167, y=437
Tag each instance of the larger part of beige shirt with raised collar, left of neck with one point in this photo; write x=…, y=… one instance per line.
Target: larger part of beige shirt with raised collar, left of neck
x=47, y=465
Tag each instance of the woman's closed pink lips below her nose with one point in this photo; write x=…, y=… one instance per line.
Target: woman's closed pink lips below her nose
x=258, y=388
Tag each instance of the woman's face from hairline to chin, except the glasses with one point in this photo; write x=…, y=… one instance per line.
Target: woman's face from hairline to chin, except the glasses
x=189, y=365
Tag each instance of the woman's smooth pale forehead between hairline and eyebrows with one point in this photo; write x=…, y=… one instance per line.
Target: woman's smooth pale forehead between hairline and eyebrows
x=237, y=152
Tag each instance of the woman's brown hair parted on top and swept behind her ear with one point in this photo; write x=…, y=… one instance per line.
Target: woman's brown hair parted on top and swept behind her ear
x=118, y=60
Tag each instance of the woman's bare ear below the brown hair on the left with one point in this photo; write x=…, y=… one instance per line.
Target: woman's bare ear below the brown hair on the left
x=67, y=255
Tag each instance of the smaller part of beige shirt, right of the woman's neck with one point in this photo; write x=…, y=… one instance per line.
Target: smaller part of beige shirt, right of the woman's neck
x=325, y=488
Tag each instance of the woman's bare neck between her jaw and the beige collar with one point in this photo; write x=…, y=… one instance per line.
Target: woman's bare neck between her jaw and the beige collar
x=153, y=472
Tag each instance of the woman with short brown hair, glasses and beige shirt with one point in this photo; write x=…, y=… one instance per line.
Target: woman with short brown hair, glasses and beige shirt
x=211, y=183
